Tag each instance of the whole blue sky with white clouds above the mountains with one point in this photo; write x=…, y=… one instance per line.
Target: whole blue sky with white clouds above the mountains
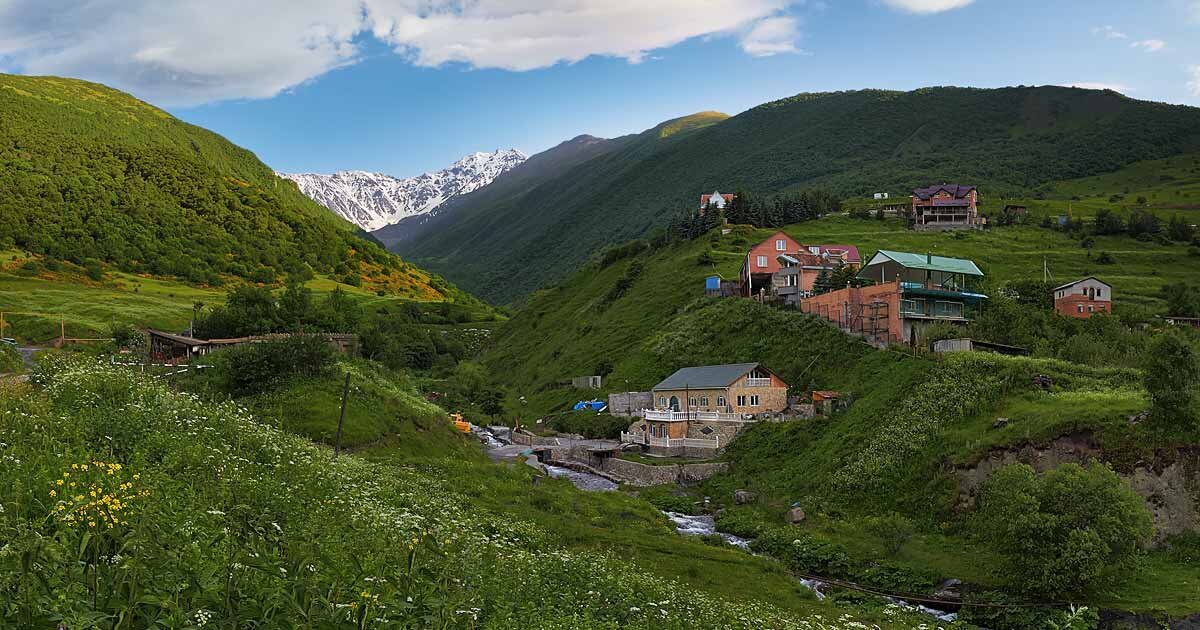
x=405, y=86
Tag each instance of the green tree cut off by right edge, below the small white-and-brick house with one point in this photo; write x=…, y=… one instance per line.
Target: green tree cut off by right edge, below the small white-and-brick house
x=1173, y=380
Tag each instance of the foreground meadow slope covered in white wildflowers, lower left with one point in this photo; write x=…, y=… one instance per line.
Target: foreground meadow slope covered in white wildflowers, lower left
x=259, y=544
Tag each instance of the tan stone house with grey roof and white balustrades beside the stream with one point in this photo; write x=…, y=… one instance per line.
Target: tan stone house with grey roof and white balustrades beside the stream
x=706, y=407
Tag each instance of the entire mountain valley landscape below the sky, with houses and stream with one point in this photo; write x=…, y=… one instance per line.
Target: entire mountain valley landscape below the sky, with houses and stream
x=791, y=406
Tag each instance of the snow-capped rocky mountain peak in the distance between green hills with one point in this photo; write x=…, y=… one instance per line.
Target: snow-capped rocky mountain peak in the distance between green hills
x=373, y=201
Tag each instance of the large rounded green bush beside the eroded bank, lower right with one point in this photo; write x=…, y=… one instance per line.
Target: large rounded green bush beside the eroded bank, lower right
x=1066, y=532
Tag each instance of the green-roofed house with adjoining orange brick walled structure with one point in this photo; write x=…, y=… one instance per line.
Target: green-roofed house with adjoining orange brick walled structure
x=910, y=293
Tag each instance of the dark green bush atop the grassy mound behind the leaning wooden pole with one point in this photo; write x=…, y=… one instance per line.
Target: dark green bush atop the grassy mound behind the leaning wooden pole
x=256, y=368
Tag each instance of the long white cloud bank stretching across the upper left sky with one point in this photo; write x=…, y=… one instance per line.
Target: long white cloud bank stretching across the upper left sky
x=195, y=52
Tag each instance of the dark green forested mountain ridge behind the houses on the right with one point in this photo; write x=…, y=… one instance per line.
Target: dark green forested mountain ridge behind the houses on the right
x=1005, y=141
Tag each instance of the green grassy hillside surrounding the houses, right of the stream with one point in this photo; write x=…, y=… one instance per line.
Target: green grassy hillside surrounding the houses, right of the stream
x=916, y=419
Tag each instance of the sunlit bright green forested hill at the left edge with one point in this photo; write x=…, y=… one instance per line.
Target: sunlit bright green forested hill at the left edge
x=89, y=173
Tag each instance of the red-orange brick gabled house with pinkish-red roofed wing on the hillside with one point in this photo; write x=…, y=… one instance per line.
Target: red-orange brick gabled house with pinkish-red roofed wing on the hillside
x=784, y=269
